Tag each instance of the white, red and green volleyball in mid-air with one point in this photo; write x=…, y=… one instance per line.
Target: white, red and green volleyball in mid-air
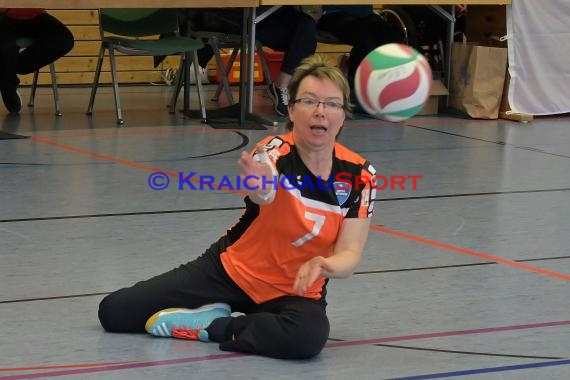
x=393, y=82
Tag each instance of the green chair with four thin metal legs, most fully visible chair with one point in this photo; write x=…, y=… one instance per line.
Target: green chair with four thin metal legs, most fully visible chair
x=136, y=31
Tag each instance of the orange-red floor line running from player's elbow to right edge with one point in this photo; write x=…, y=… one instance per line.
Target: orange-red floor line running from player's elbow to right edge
x=480, y=255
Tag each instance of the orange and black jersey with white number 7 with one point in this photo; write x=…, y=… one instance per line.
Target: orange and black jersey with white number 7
x=269, y=243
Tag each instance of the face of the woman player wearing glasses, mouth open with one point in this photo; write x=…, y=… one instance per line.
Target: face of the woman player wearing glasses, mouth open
x=316, y=126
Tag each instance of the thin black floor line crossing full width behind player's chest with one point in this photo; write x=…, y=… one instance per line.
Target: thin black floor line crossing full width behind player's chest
x=86, y=216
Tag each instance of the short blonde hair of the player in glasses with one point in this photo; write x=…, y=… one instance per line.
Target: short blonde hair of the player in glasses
x=316, y=66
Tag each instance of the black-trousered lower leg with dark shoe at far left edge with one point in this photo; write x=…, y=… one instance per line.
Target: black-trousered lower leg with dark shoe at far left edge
x=8, y=60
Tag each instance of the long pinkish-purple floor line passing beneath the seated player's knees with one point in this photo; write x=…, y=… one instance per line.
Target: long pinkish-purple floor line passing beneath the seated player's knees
x=143, y=364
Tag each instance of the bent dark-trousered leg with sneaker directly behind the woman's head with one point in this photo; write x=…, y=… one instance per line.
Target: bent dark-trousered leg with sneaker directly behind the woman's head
x=293, y=32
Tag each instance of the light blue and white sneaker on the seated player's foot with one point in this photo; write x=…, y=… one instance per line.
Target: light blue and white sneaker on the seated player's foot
x=186, y=323
